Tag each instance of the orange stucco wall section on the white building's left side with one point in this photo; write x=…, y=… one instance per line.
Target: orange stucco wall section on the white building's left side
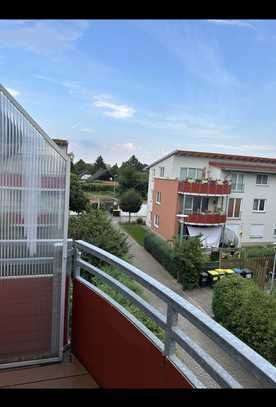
x=167, y=209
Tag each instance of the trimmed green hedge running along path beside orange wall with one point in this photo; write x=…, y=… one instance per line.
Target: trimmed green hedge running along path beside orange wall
x=161, y=251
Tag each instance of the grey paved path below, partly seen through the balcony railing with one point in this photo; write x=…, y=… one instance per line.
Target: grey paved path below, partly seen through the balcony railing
x=201, y=298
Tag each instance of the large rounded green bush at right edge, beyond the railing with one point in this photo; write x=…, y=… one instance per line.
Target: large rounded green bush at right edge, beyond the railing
x=249, y=313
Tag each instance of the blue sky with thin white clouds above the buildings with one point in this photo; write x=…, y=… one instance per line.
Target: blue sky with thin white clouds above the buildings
x=146, y=87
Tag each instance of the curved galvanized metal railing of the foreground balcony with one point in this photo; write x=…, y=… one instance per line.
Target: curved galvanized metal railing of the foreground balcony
x=247, y=357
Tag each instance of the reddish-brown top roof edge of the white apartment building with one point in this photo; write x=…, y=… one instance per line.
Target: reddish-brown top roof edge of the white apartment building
x=220, y=156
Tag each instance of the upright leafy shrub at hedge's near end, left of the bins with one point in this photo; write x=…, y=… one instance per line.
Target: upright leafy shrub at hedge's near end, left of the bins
x=189, y=260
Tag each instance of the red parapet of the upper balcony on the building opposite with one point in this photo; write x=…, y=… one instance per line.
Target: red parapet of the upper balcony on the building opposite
x=210, y=187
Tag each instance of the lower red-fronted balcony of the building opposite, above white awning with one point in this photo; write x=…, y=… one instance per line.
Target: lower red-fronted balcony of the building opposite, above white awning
x=202, y=210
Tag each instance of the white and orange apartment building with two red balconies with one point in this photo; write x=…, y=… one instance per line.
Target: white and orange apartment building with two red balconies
x=223, y=197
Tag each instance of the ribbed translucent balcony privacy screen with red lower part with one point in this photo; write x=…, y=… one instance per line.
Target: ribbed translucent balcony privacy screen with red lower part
x=32, y=231
